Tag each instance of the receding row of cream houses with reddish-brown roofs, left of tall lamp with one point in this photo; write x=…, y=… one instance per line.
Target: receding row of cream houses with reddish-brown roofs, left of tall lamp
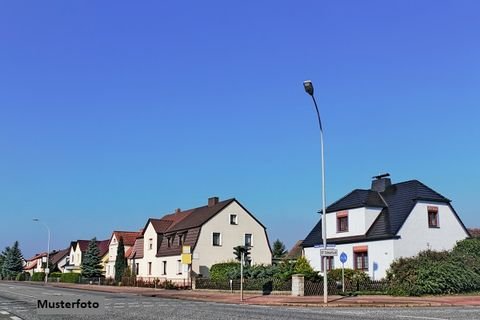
x=155, y=251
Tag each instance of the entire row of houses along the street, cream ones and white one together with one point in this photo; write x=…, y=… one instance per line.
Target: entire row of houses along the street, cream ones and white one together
x=371, y=227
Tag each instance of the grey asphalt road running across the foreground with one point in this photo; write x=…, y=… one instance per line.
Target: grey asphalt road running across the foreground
x=19, y=301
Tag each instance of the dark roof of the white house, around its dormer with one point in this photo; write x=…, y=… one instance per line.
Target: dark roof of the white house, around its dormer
x=397, y=201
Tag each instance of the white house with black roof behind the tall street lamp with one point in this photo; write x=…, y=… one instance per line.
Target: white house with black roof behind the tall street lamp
x=388, y=221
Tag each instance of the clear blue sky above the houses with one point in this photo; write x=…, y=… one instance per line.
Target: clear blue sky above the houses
x=115, y=111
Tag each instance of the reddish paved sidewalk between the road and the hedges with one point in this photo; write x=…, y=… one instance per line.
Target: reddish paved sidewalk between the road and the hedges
x=284, y=300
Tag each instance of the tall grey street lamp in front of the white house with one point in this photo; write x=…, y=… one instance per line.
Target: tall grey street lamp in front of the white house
x=308, y=85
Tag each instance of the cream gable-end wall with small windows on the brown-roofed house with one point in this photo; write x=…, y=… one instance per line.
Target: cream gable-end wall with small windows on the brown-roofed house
x=205, y=254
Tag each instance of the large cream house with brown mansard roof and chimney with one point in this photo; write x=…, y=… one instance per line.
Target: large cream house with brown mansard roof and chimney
x=211, y=232
